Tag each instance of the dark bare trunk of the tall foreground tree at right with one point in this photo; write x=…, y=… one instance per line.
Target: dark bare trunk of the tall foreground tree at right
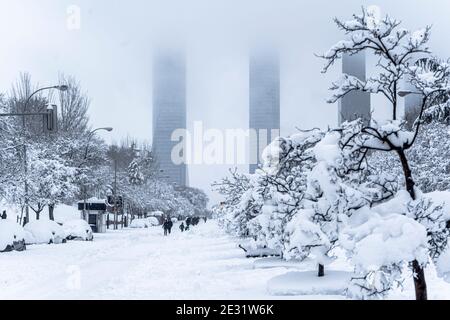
x=420, y=283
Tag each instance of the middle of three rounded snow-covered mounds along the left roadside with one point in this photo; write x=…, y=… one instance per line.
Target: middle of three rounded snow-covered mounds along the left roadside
x=44, y=232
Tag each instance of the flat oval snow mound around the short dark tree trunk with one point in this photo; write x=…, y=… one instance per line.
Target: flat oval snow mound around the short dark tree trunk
x=308, y=283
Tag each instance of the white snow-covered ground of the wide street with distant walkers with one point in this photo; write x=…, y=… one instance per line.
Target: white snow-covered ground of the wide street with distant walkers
x=203, y=263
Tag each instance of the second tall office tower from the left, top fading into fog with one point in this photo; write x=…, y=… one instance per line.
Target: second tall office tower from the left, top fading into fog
x=264, y=85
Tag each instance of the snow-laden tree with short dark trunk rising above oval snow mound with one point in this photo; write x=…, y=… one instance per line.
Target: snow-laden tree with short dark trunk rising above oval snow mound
x=333, y=192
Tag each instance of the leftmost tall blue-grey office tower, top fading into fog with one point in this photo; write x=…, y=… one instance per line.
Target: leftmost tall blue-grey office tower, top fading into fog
x=169, y=113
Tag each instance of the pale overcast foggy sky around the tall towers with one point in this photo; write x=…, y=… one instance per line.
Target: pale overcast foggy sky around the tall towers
x=111, y=55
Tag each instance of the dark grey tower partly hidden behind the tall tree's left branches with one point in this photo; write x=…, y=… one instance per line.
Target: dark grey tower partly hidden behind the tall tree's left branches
x=355, y=104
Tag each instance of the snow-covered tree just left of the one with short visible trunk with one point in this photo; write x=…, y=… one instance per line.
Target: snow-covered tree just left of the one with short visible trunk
x=283, y=180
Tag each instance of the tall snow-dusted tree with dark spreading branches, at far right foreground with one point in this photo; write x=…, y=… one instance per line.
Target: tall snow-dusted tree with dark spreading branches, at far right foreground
x=396, y=49
